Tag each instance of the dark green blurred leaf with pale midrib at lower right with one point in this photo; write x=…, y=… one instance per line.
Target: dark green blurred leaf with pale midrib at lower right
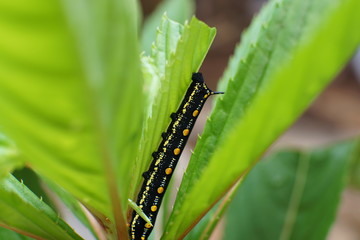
x=289, y=193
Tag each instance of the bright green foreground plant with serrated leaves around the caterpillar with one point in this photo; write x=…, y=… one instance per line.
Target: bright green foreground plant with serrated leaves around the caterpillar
x=71, y=101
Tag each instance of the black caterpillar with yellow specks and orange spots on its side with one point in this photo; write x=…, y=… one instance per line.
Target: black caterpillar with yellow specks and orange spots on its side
x=158, y=176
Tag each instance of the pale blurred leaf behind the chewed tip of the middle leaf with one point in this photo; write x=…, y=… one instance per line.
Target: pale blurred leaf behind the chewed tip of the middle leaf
x=177, y=10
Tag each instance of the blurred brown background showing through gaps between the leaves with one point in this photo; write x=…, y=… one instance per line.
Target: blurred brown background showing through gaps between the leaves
x=333, y=116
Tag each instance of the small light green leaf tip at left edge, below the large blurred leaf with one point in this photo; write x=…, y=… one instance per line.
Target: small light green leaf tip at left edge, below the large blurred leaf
x=9, y=156
